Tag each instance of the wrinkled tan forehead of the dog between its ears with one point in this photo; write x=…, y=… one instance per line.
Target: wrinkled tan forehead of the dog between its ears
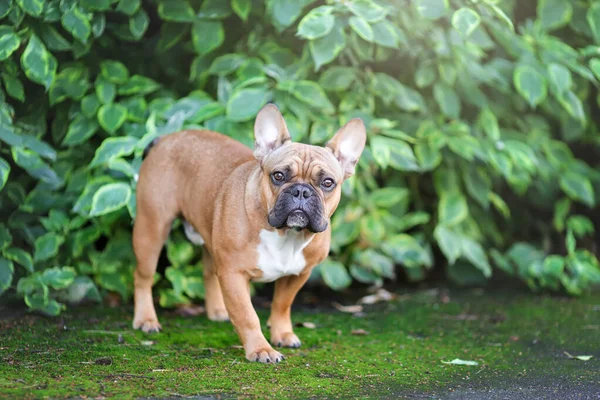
x=303, y=160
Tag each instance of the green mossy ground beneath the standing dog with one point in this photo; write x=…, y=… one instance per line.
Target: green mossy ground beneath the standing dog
x=518, y=339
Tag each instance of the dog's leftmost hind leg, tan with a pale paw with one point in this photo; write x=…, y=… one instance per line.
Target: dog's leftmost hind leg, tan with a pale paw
x=150, y=232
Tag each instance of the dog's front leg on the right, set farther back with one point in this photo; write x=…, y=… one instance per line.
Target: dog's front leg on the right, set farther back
x=280, y=321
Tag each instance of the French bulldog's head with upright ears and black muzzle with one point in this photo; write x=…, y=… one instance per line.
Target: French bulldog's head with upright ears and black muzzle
x=301, y=184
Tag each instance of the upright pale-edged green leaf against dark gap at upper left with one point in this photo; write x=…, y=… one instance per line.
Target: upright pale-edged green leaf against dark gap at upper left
x=38, y=64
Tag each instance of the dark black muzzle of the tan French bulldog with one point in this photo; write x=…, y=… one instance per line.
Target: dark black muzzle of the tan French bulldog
x=298, y=207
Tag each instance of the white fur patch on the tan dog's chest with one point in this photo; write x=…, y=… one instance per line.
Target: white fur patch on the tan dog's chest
x=281, y=255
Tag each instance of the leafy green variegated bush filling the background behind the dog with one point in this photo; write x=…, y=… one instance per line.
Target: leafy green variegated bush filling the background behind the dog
x=482, y=117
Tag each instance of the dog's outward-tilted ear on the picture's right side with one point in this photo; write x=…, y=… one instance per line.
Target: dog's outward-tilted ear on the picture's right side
x=348, y=144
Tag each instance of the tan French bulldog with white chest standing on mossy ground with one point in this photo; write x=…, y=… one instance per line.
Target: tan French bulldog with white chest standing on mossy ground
x=261, y=215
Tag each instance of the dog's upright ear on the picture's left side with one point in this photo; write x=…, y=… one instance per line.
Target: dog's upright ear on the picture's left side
x=270, y=131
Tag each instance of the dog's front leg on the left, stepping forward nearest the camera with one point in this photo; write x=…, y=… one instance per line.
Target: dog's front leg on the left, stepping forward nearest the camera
x=244, y=319
